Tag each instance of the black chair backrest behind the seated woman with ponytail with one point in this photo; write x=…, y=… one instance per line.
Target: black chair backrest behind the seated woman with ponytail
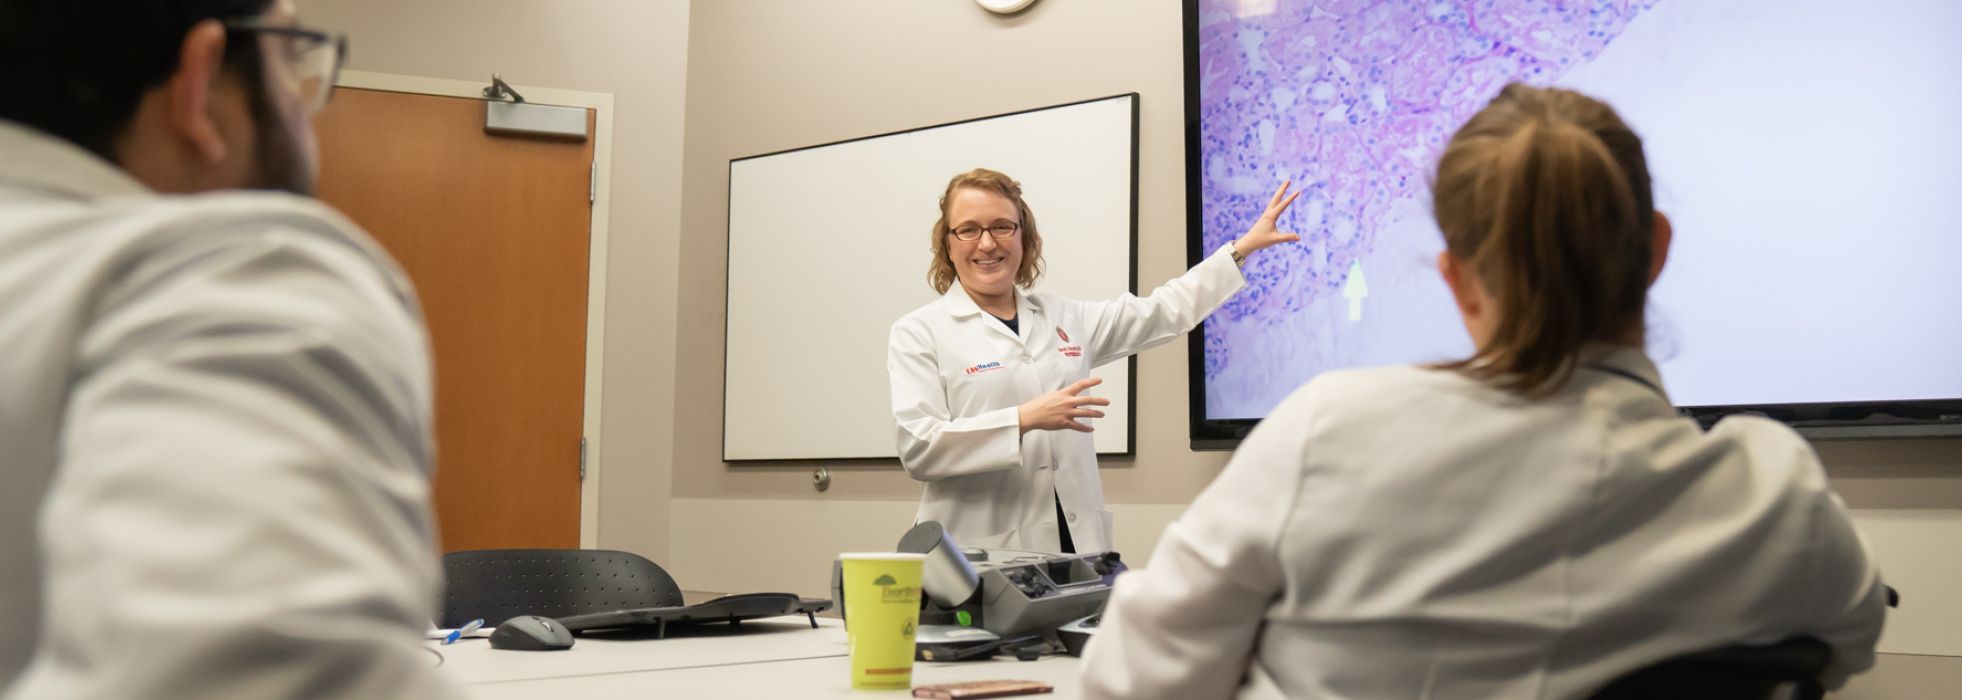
x=1730, y=674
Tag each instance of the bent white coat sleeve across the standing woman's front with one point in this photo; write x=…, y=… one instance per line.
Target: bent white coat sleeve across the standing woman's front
x=933, y=444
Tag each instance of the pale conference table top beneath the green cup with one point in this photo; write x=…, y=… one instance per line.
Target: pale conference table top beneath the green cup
x=780, y=658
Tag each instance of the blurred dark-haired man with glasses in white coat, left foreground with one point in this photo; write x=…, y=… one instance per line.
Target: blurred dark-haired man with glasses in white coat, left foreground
x=215, y=426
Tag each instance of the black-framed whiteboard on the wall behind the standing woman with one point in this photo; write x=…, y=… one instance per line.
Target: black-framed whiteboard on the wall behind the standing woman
x=829, y=246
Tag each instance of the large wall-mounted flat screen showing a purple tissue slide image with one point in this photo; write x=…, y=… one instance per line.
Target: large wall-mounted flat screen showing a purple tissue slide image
x=1808, y=152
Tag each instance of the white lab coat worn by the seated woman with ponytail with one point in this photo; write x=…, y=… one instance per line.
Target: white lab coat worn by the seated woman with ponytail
x=1416, y=534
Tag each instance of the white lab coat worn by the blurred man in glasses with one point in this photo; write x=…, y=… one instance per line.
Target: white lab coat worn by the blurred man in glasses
x=215, y=444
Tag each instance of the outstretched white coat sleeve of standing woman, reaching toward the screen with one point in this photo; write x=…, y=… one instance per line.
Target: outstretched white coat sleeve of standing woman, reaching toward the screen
x=1129, y=325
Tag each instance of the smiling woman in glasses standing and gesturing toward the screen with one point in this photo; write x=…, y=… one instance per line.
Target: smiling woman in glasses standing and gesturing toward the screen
x=990, y=381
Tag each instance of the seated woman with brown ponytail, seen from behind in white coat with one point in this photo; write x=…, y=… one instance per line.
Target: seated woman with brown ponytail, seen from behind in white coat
x=1531, y=523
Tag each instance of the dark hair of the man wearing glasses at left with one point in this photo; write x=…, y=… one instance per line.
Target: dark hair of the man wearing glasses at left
x=79, y=68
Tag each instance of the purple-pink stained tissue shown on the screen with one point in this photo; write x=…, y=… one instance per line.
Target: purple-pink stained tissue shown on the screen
x=1355, y=101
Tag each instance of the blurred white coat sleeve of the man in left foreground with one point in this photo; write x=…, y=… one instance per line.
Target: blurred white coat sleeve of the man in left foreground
x=242, y=507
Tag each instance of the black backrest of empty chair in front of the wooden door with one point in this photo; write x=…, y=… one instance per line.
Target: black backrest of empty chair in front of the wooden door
x=556, y=583
